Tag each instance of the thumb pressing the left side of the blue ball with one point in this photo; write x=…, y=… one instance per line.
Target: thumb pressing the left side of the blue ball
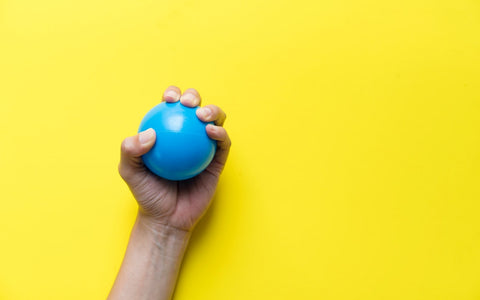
x=132, y=149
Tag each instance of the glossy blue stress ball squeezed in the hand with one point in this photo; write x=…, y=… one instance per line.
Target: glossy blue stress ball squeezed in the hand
x=182, y=148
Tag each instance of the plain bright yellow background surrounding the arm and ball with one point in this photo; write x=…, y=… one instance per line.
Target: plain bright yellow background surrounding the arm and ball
x=355, y=166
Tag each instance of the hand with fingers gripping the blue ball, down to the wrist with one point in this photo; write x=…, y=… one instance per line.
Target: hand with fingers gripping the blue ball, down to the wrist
x=177, y=204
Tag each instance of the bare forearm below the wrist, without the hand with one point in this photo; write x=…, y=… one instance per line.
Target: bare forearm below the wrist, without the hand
x=151, y=263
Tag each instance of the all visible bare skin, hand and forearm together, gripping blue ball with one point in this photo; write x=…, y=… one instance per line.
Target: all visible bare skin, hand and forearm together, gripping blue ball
x=168, y=210
